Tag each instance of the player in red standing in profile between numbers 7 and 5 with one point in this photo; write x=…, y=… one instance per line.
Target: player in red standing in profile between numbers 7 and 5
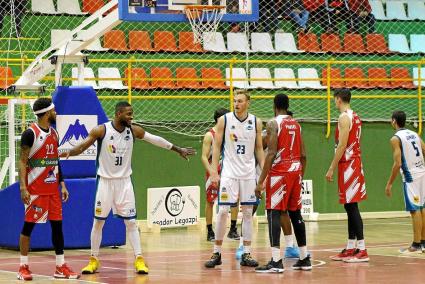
x=351, y=183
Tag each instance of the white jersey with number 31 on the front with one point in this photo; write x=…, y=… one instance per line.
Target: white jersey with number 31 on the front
x=115, y=151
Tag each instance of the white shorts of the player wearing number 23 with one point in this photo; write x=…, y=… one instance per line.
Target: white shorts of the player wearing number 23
x=232, y=190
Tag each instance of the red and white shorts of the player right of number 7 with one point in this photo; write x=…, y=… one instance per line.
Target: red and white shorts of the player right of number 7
x=351, y=184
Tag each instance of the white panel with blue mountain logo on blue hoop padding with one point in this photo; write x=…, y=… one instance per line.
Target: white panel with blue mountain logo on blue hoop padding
x=72, y=130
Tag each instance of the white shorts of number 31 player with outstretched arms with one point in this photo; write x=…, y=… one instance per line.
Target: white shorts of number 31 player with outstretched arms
x=116, y=194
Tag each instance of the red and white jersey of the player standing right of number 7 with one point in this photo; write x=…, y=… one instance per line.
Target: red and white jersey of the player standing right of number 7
x=353, y=144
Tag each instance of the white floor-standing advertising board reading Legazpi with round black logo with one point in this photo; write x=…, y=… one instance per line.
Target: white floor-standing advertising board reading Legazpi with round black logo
x=173, y=206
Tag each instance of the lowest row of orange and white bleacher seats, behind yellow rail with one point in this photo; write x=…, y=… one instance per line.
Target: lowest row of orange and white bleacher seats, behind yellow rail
x=259, y=78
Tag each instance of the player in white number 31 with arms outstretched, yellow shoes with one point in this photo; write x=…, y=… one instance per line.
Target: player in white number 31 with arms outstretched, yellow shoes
x=114, y=186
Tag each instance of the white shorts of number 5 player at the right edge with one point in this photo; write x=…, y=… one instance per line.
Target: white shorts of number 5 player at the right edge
x=414, y=193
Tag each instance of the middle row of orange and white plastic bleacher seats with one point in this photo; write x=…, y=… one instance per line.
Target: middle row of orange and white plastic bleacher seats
x=165, y=41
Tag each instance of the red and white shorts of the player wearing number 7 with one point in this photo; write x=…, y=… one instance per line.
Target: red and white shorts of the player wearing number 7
x=283, y=192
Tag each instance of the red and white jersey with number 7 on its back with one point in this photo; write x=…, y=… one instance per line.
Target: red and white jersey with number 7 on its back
x=288, y=156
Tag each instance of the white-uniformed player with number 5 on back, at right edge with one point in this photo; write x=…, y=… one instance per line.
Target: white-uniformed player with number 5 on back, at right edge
x=408, y=149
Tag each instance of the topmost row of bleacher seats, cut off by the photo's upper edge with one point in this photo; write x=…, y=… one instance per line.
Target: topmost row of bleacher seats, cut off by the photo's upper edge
x=394, y=10
